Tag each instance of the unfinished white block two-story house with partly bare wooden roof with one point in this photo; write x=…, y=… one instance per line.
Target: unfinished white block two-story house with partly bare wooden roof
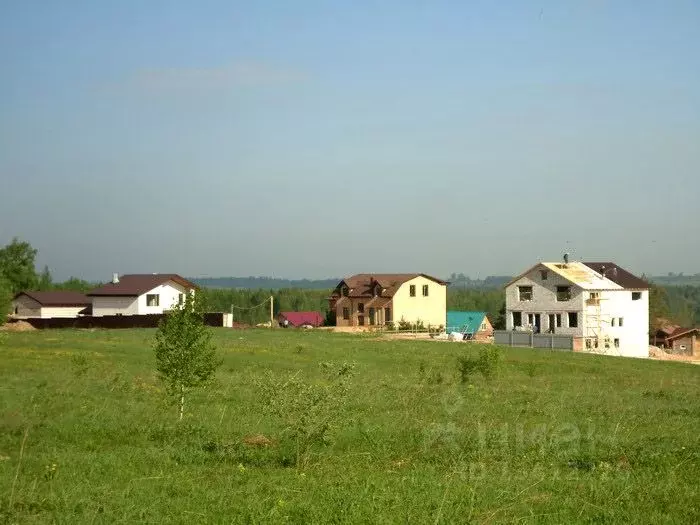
x=604, y=307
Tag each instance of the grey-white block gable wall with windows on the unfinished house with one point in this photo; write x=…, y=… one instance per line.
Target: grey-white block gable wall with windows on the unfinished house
x=544, y=301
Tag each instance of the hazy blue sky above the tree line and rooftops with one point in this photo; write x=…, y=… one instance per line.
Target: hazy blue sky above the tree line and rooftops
x=319, y=139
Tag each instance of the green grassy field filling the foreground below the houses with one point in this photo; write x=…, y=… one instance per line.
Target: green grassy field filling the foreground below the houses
x=86, y=437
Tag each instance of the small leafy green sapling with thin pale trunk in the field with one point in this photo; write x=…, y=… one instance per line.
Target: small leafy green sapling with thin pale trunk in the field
x=185, y=355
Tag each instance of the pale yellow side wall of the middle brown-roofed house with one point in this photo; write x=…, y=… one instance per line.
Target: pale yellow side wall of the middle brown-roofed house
x=431, y=310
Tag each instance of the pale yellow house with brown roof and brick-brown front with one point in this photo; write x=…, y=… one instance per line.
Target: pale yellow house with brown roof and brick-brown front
x=377, y=299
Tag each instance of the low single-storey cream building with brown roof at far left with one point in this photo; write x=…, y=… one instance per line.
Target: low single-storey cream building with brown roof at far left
x=58, y=303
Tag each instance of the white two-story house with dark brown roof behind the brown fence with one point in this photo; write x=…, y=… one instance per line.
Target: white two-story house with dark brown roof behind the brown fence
x=140, y=294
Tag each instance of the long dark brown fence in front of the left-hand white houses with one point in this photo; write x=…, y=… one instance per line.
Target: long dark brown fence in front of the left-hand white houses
x=118, y=321
